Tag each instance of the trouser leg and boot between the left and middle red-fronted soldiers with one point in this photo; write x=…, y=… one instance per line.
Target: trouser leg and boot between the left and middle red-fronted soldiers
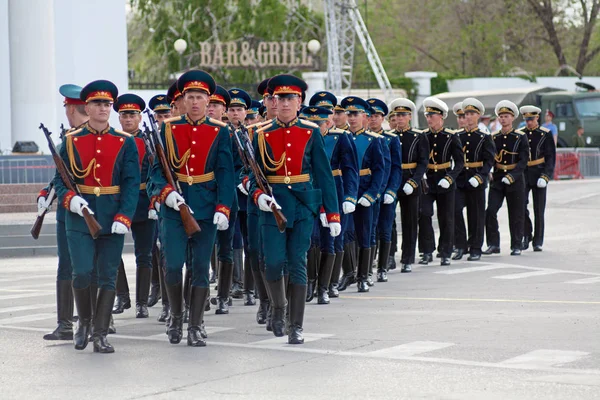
x=143, y=233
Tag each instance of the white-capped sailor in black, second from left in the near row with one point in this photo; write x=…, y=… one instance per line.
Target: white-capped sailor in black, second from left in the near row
x=445, y=148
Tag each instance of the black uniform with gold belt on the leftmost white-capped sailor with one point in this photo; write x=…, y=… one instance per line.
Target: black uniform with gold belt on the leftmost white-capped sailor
x=415, y=152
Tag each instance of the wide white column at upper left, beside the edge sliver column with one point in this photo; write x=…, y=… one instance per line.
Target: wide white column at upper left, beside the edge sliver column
x=32, y=69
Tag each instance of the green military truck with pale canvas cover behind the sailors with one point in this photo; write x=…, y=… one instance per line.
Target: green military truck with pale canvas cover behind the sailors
x=571, y=109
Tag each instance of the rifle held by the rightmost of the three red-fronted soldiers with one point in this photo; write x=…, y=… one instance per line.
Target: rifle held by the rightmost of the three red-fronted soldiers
x=244, y=146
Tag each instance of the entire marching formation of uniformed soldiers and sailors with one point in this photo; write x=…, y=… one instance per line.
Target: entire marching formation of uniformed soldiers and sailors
x=273, y=201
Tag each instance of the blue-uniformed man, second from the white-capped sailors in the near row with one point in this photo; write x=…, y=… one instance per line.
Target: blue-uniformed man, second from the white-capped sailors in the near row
x=372, y=172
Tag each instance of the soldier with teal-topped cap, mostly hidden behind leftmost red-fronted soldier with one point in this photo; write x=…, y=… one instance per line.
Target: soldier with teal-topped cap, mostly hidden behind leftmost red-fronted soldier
x=77, y=116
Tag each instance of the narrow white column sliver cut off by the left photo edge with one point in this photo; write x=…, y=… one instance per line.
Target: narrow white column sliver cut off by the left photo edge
x=5, y=103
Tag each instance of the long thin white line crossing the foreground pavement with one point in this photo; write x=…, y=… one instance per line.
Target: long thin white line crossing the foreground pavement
x=342, y=353
